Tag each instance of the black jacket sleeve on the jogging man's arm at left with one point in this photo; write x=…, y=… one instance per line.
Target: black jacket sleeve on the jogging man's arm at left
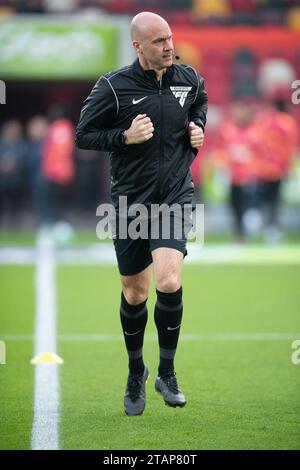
x=95, y=128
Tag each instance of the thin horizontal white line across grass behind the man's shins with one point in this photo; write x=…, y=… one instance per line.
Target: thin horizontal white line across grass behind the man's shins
x=98, y=338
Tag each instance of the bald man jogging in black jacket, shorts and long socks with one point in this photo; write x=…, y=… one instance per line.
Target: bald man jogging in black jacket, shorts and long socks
x=150, y=116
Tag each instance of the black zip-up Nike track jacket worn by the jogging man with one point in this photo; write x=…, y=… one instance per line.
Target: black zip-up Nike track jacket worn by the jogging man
x=156, y=171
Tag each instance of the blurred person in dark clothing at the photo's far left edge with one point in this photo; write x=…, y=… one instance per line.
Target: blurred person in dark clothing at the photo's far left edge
x=12, y=158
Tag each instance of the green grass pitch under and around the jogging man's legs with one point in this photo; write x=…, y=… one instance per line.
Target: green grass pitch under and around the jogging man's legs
x=242, y=394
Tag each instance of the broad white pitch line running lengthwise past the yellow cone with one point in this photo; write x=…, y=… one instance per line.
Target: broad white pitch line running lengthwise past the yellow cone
x=46, y=394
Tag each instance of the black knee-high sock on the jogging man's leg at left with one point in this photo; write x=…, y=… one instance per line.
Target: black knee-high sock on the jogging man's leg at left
x=134, y=320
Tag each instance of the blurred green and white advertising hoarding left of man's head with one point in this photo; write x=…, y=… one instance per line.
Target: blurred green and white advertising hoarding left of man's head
x=52, y=49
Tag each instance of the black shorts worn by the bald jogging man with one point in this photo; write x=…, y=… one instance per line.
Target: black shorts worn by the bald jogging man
x=135, y=255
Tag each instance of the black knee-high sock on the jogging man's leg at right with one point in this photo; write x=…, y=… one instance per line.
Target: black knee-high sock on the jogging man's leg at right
x=168, y=315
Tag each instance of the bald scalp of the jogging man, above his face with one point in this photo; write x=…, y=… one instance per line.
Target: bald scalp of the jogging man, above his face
x=144, y=22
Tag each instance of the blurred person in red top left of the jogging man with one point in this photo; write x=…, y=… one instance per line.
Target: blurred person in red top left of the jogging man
x=57, y=170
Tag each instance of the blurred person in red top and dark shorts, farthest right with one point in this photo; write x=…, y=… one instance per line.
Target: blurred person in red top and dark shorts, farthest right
x=278, y=131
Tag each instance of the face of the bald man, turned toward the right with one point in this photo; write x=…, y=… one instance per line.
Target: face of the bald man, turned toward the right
x=156, y=47
